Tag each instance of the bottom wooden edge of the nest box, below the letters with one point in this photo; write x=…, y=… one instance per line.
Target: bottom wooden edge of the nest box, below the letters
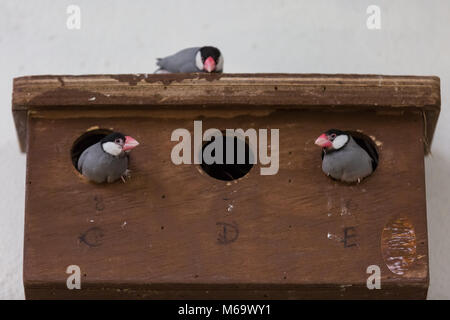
x=49, y=291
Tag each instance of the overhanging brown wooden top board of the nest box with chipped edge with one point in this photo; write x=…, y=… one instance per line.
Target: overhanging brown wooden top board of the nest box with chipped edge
x=336, y=92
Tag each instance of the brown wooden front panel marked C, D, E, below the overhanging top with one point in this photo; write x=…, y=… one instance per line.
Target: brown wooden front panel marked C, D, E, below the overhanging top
x=159, y=238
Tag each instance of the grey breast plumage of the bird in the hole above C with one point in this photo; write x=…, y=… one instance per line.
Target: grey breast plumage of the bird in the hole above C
x=99, y=166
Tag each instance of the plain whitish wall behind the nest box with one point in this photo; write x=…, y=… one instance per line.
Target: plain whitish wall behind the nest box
x=321, y=36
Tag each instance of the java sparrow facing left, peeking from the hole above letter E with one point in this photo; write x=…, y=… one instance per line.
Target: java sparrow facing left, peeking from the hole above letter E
x=345, y=158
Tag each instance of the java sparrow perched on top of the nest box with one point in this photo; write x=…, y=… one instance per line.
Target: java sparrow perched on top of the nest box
x=198, y=59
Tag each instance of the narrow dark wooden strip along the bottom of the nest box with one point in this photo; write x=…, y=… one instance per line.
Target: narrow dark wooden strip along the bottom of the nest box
x=212, y=292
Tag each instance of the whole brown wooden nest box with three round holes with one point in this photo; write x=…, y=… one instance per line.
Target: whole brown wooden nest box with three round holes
x=187, y=231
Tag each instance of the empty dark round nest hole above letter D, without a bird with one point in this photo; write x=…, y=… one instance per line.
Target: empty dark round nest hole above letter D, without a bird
x=224, y=171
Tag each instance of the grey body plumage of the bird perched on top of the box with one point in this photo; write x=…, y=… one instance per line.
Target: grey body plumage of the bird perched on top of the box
x=182, y=61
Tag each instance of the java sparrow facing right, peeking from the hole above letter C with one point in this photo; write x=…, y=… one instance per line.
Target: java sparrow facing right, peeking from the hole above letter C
x=107, y=160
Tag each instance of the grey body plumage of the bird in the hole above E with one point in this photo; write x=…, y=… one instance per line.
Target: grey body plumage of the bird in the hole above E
x=350, y=163
